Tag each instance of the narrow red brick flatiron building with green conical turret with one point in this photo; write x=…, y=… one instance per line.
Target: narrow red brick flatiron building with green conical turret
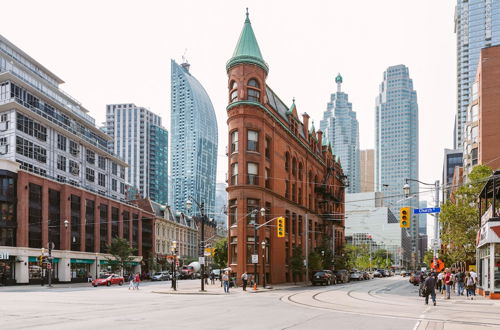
x=277, y=163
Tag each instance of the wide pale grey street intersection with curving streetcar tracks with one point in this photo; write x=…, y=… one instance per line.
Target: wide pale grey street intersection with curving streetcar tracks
x=388, y=303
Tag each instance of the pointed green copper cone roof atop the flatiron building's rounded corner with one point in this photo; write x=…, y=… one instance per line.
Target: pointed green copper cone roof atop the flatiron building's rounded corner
x=247, y=50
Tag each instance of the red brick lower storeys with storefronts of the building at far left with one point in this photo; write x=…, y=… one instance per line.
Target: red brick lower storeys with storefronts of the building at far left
x=37, y=210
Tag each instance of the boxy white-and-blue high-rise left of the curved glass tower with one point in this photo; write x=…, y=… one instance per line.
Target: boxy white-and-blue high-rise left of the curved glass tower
x=139, y=138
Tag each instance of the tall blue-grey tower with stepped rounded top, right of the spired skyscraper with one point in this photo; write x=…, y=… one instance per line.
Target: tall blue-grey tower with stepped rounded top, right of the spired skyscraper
x=396, y=142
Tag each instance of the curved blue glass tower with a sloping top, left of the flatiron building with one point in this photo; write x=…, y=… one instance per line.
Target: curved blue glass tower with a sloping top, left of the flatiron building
x=193, y=128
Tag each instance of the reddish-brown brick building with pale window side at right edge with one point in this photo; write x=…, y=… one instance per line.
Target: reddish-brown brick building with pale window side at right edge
x=482, y=129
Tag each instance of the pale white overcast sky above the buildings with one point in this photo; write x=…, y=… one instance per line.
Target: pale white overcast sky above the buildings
x=119, y=52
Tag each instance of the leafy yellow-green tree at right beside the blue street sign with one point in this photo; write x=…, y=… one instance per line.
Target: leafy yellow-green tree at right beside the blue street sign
x=459, y=219
